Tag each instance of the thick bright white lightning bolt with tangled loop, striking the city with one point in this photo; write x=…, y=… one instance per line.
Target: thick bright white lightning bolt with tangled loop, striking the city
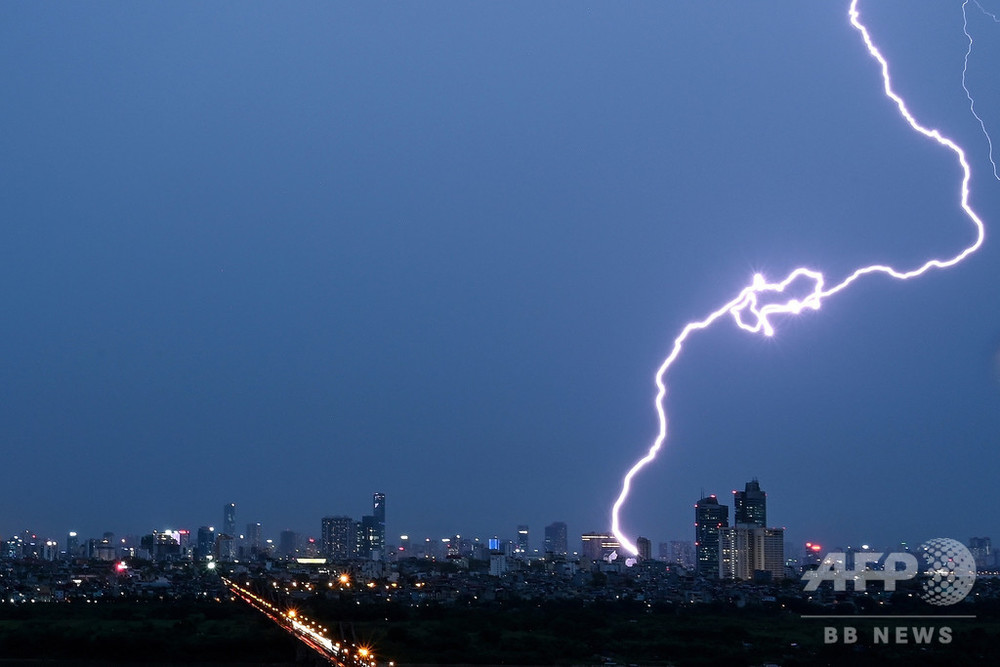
x=754, y=306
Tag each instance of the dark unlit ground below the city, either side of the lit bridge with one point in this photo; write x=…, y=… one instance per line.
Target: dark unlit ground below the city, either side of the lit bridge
x=212, y=633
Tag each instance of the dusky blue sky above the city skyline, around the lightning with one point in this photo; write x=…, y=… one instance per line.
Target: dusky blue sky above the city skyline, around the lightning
x=288, y=255
